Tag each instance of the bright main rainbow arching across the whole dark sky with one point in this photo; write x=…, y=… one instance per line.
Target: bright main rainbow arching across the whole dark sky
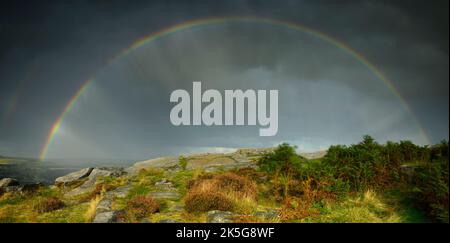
x=221, y=20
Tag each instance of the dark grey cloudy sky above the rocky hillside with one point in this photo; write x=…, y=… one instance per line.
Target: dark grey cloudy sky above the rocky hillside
x=48, y=49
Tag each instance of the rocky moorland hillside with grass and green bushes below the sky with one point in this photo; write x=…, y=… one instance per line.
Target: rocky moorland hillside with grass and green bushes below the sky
x=214, y=187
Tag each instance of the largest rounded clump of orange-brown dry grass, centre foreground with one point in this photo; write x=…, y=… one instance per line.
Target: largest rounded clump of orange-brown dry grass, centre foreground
x=226, y=192
